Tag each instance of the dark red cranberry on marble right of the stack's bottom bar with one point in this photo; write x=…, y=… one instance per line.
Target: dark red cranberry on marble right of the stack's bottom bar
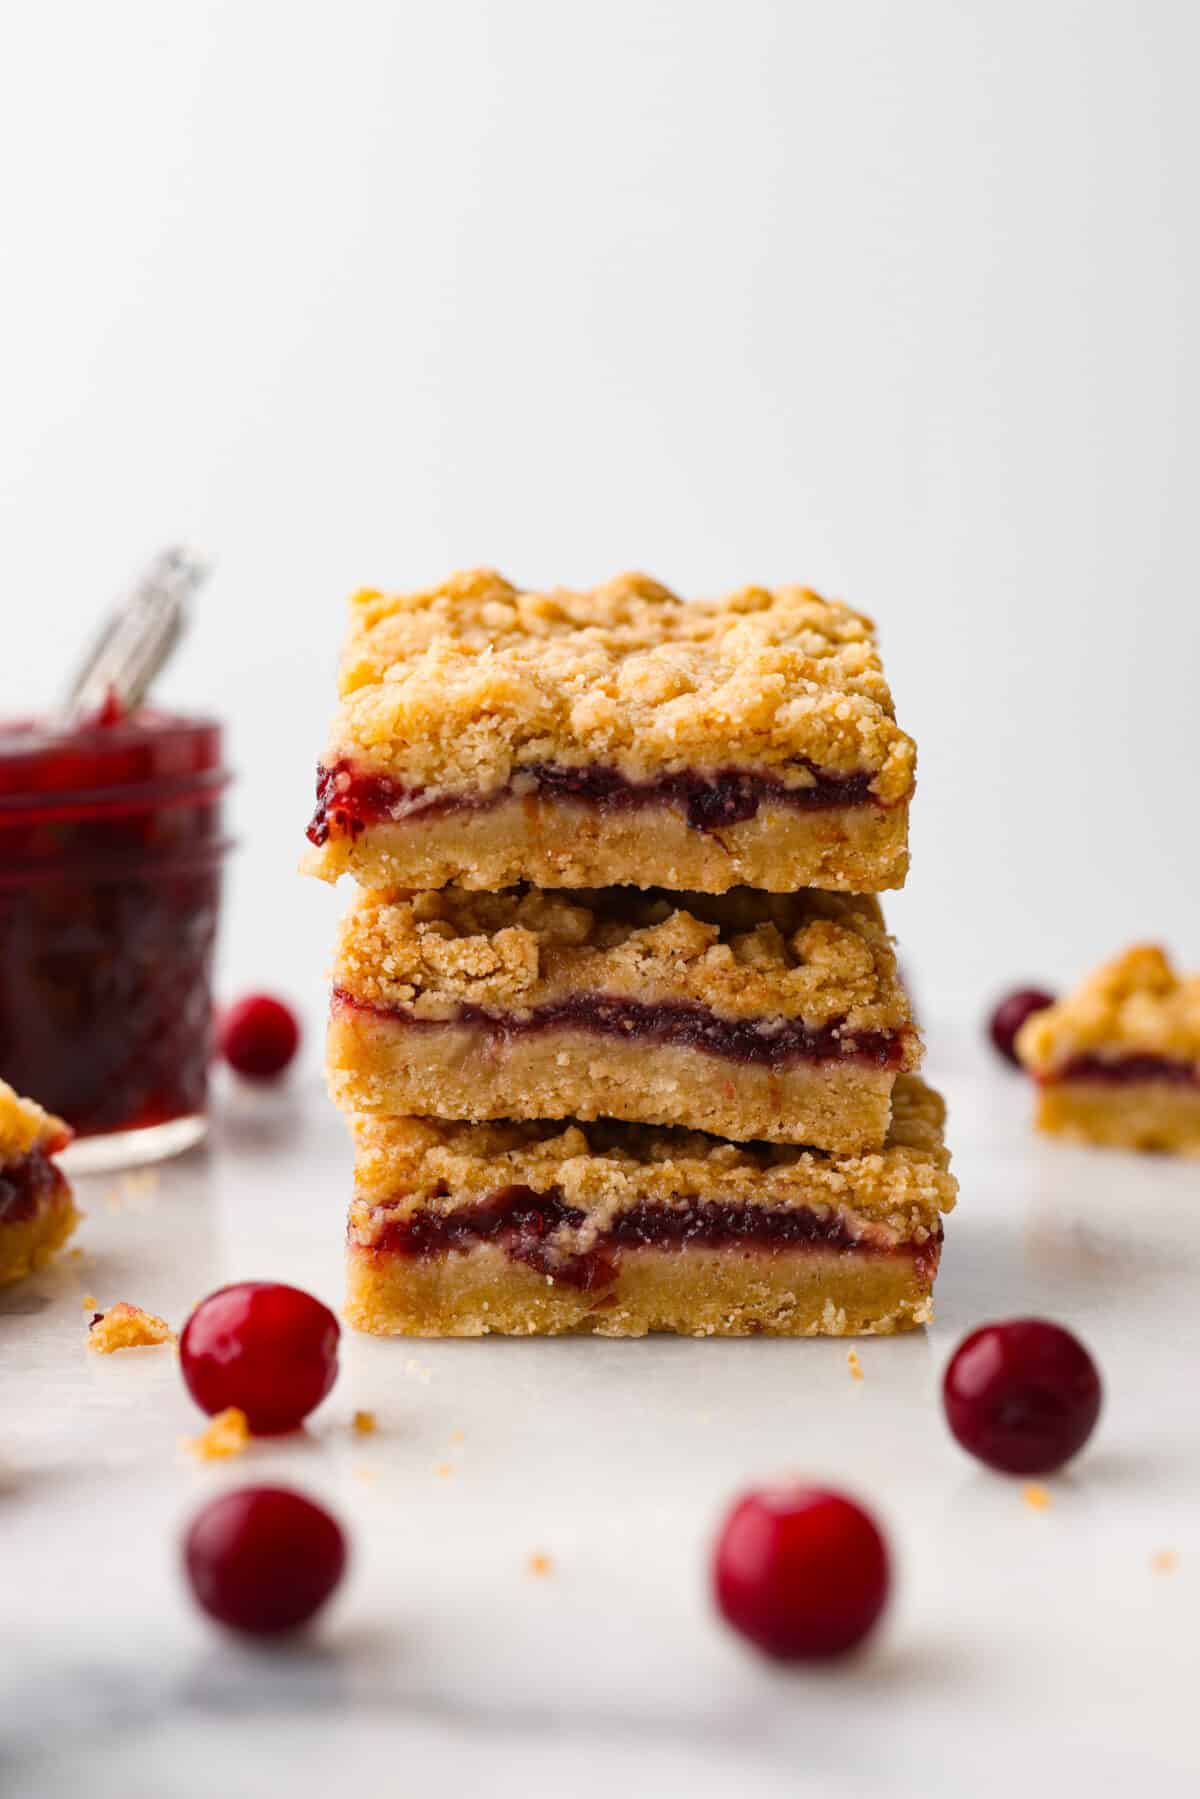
x=1025, y=1397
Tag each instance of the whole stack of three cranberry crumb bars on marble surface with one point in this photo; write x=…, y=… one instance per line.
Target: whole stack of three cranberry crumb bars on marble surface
x=616, y=1017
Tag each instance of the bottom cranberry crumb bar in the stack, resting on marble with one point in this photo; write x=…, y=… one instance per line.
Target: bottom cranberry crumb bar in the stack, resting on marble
x=623, y=1230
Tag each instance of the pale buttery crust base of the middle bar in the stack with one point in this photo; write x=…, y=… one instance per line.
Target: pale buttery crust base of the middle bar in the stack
x=377, y=1064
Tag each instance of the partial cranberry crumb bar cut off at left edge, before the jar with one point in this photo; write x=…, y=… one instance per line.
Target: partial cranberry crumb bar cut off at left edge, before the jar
x=37, y=1206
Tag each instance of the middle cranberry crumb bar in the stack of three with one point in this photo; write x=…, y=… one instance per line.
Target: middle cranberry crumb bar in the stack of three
x=746, y=1014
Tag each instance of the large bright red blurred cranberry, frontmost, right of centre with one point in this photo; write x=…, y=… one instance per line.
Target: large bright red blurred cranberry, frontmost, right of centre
x=801, y=1573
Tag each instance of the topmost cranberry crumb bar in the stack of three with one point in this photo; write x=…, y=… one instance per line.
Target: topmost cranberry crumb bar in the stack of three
x=618, y=737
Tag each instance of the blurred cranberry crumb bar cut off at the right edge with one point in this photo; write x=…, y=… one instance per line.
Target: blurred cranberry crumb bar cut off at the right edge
x=1118, y=1062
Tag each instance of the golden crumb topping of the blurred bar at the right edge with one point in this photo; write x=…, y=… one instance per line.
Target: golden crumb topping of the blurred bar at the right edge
x=1133, y=1007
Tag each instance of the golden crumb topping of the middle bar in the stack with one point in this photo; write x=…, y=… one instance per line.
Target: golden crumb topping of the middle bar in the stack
x=818, y=958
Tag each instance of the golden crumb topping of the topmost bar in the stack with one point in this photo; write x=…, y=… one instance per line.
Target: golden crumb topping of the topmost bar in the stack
x=461, y=686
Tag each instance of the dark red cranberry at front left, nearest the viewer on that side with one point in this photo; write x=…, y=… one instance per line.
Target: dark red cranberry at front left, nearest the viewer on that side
x=264, y=1559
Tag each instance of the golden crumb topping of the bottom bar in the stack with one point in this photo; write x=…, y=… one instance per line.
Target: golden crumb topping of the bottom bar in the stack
x=607, y=1168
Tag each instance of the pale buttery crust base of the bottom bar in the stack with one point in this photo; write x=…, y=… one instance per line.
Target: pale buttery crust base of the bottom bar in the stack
x=694, y=1293
